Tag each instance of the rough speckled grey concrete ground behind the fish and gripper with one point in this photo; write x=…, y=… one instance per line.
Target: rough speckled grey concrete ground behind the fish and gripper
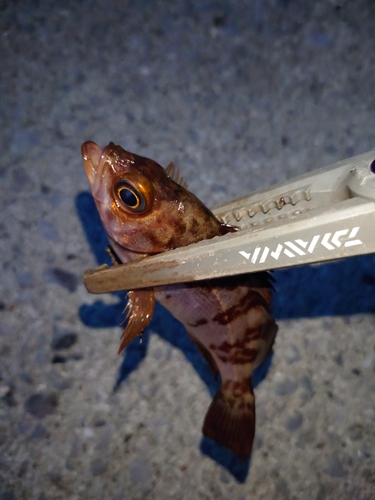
x=238, y=96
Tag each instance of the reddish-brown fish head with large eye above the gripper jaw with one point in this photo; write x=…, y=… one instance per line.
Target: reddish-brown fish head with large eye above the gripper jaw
x=143, y=210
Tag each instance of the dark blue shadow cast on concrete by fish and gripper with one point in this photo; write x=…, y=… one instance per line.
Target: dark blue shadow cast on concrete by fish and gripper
x=341, y=288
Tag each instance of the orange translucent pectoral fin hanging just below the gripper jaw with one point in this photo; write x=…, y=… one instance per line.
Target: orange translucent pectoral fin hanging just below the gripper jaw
x=140, y=308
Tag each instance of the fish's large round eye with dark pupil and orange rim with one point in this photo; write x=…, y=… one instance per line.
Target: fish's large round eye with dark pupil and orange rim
x=134, y=195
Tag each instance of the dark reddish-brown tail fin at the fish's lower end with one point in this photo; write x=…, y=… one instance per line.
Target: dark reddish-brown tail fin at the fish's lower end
x=230, y=419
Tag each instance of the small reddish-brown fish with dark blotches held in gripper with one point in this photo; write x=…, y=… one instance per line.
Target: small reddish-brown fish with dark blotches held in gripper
x=147, y=209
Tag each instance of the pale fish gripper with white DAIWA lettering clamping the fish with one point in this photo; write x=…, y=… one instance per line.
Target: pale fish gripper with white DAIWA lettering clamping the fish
x=323, y=215
